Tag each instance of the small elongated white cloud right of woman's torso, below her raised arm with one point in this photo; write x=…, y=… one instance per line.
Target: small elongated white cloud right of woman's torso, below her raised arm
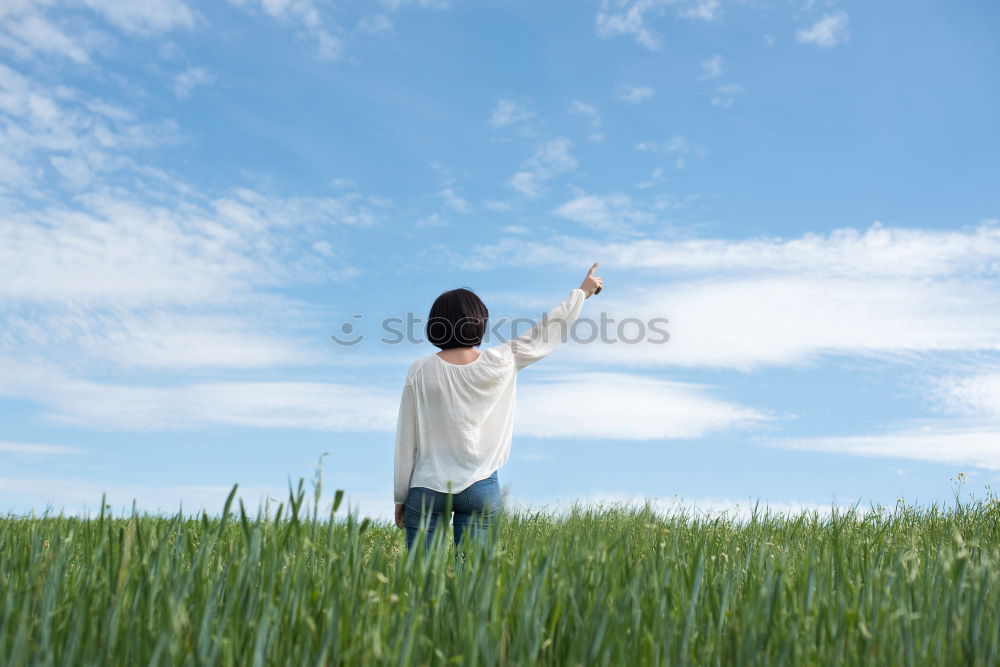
x=623, y=406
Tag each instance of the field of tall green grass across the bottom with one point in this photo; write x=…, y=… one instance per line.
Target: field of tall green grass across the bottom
x=610, y=586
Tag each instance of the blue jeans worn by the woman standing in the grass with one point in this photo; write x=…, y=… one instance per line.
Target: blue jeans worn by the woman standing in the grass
x=475, y=508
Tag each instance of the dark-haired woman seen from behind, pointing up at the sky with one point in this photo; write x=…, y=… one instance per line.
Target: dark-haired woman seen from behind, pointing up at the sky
x=457, y=412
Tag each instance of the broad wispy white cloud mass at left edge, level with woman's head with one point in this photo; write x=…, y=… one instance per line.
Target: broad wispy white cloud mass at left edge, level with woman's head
x=85, y=286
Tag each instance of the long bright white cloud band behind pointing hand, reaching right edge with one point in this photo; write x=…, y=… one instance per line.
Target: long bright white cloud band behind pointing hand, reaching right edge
x=890, y=293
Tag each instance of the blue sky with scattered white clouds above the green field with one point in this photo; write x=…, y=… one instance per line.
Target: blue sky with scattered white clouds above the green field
x=193, y=198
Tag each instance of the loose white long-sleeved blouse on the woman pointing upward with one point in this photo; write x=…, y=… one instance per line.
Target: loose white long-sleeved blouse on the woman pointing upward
x=456, y=420
